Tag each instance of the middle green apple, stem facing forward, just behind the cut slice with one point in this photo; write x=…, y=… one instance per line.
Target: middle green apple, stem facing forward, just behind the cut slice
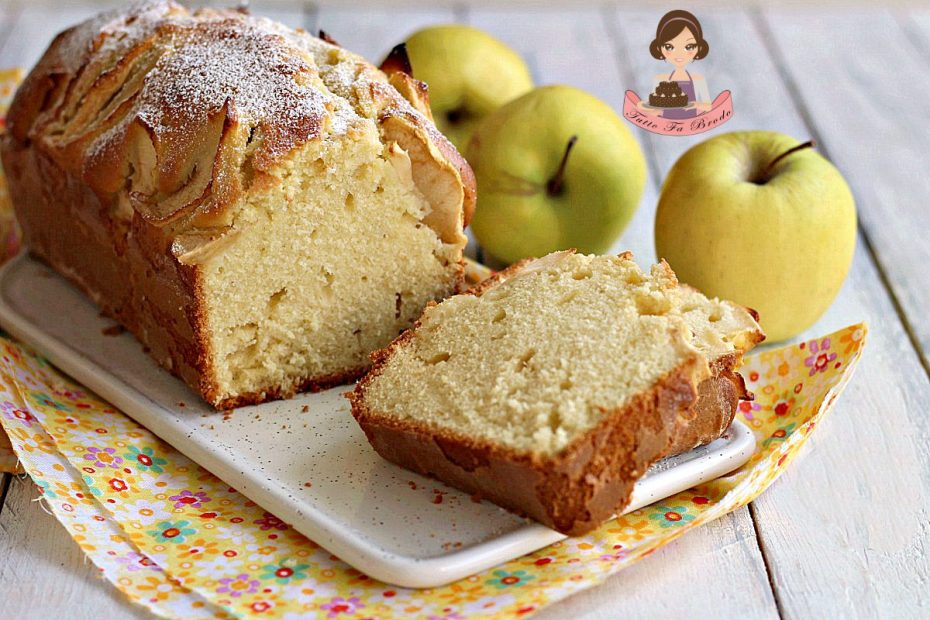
x=556, y=168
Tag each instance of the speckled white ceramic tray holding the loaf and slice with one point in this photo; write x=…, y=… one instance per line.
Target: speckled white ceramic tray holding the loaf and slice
x=376, y=516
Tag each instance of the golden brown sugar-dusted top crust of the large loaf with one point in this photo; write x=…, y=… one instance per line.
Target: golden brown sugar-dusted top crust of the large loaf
x=149, y=102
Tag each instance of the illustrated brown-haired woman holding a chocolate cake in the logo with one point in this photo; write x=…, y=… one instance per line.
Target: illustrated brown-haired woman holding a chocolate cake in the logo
x=679, y=41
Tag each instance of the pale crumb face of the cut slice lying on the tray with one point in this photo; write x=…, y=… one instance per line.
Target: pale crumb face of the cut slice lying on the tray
x=537, y=361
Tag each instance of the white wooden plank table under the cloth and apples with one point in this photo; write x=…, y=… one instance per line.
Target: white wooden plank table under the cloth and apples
x=846, y=531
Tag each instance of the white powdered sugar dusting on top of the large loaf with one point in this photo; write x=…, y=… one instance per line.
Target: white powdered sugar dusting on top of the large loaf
x=210, y=60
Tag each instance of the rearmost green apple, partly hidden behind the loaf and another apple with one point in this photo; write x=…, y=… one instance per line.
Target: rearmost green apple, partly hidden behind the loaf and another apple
x=470, y=74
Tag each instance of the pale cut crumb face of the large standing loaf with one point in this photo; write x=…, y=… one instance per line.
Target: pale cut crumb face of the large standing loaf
x=330, y=262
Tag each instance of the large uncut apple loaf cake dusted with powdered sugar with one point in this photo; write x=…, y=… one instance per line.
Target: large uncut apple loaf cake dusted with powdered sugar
x=260, y=207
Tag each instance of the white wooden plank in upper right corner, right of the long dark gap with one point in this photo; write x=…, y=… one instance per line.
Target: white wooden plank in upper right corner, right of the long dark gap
x=875, y=131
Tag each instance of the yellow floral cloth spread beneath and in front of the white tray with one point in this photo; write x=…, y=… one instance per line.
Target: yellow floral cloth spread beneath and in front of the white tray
x=177, y=540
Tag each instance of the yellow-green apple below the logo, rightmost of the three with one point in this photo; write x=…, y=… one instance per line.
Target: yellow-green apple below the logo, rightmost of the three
x=759, y=219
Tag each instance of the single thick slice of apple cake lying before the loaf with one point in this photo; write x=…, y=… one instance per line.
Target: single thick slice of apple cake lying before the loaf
x=553, y=386
